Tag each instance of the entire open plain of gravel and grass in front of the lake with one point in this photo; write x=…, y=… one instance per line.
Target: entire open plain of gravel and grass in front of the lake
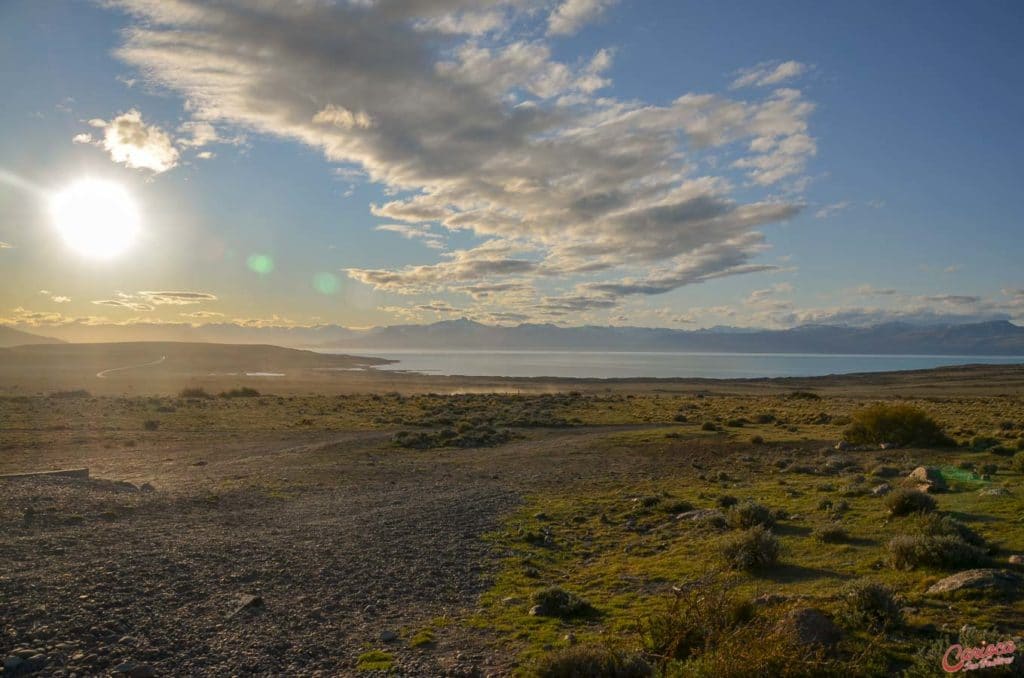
x=253, y=526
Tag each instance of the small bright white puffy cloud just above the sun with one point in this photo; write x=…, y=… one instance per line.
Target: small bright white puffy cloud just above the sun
x=131, y=142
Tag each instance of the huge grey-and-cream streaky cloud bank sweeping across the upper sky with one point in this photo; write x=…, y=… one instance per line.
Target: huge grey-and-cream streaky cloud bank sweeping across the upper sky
x=496, y=138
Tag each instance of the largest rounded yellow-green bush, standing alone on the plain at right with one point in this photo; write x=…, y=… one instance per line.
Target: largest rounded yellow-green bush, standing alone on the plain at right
x=899, y=425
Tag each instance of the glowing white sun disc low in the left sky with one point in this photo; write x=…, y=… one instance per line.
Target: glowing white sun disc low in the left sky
x=97, y=219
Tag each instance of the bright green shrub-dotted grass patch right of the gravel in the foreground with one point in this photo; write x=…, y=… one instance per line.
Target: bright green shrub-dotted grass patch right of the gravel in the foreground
x=612, y=544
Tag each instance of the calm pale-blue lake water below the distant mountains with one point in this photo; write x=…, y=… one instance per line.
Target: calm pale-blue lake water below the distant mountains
x=623, y=364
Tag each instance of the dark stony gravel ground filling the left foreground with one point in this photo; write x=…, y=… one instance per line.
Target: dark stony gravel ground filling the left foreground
x=335, y=543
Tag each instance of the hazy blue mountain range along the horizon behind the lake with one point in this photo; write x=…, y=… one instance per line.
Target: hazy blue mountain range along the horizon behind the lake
x=991, y=338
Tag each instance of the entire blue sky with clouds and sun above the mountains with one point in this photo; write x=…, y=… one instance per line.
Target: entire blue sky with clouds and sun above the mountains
x=579, y=162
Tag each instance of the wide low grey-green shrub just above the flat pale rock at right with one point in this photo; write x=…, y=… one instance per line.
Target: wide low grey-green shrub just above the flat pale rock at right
x=937, y=541
